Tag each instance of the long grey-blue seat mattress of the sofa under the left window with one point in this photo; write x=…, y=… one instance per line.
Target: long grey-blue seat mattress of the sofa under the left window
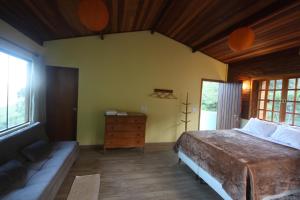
x=43, y=175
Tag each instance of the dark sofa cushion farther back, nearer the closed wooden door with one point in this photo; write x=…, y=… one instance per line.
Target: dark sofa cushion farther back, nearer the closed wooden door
x=37, y=150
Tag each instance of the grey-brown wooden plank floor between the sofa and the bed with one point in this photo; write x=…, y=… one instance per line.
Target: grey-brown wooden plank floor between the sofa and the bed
x=133, y=175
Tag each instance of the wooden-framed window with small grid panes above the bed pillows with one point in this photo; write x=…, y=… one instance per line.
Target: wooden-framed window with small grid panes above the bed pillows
x=279, y=100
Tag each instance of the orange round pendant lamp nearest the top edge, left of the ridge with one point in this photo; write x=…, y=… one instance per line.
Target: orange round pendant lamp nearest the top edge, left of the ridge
x=93, y=14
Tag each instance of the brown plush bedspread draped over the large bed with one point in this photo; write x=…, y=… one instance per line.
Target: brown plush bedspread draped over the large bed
x=231, y=156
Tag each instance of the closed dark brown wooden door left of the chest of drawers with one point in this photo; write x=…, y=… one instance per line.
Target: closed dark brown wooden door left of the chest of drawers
x=61, y=103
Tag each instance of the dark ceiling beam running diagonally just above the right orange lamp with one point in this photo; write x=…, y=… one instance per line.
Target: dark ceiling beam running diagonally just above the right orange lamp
x=265, y=12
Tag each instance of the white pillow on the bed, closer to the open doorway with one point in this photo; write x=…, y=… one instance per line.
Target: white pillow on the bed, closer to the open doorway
x=260, y=128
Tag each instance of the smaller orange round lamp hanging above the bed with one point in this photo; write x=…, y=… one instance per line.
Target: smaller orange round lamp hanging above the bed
x=241, y=39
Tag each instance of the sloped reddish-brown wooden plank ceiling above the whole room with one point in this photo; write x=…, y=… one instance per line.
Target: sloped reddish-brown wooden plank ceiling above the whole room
x=202, y=25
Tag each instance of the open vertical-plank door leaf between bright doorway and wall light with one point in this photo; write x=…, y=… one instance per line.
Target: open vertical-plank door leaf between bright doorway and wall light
x=229, y=105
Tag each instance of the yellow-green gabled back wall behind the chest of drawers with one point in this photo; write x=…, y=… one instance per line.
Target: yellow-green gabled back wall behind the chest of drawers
x=121, y=71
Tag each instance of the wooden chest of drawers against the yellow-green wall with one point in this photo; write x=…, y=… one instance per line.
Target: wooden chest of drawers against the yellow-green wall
x=125, y=131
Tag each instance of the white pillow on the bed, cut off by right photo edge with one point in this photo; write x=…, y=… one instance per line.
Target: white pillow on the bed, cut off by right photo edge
x=287, y=135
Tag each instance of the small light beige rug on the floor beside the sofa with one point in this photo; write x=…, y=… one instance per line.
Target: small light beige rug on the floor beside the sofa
x=85, y=188
